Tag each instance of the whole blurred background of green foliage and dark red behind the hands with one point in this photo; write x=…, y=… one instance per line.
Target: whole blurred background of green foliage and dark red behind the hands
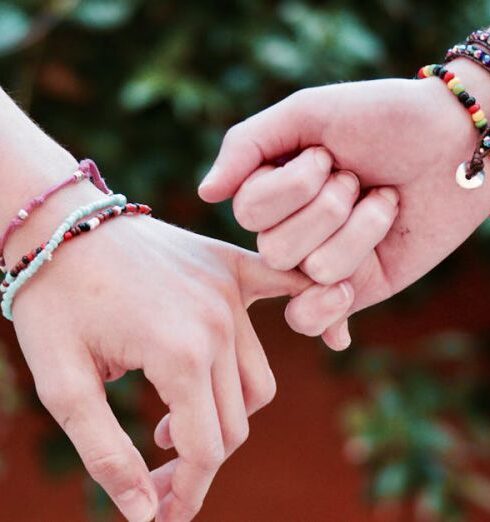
x=395, y=429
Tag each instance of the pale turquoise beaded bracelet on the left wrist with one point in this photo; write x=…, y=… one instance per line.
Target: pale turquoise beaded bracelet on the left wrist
x=52, y=245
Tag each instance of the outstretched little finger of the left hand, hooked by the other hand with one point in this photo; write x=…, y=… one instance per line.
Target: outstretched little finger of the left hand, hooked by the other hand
x=259, y=281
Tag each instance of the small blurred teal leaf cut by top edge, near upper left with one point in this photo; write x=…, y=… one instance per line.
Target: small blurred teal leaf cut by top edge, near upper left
x=104, y=14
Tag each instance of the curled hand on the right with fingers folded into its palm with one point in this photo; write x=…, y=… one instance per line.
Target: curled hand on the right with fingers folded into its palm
x=408, y=134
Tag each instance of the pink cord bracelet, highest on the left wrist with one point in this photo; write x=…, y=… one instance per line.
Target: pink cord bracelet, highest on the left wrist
x=87, y=169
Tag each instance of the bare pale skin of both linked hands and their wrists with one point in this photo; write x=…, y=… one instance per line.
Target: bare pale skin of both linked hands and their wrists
x=78, y=326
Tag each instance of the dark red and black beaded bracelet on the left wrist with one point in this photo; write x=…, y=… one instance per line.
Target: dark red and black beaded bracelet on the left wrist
x=131, y=209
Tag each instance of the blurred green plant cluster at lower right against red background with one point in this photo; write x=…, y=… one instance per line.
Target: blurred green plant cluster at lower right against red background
x=423, y=426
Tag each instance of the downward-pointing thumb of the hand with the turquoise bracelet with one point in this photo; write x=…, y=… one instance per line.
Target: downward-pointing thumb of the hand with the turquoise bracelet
x=76, y=399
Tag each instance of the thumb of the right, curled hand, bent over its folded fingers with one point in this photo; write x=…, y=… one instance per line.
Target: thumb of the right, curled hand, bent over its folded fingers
x=266, y=136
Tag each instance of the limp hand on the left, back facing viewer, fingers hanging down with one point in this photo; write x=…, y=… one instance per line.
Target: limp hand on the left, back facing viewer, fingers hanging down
x=138, y=293
